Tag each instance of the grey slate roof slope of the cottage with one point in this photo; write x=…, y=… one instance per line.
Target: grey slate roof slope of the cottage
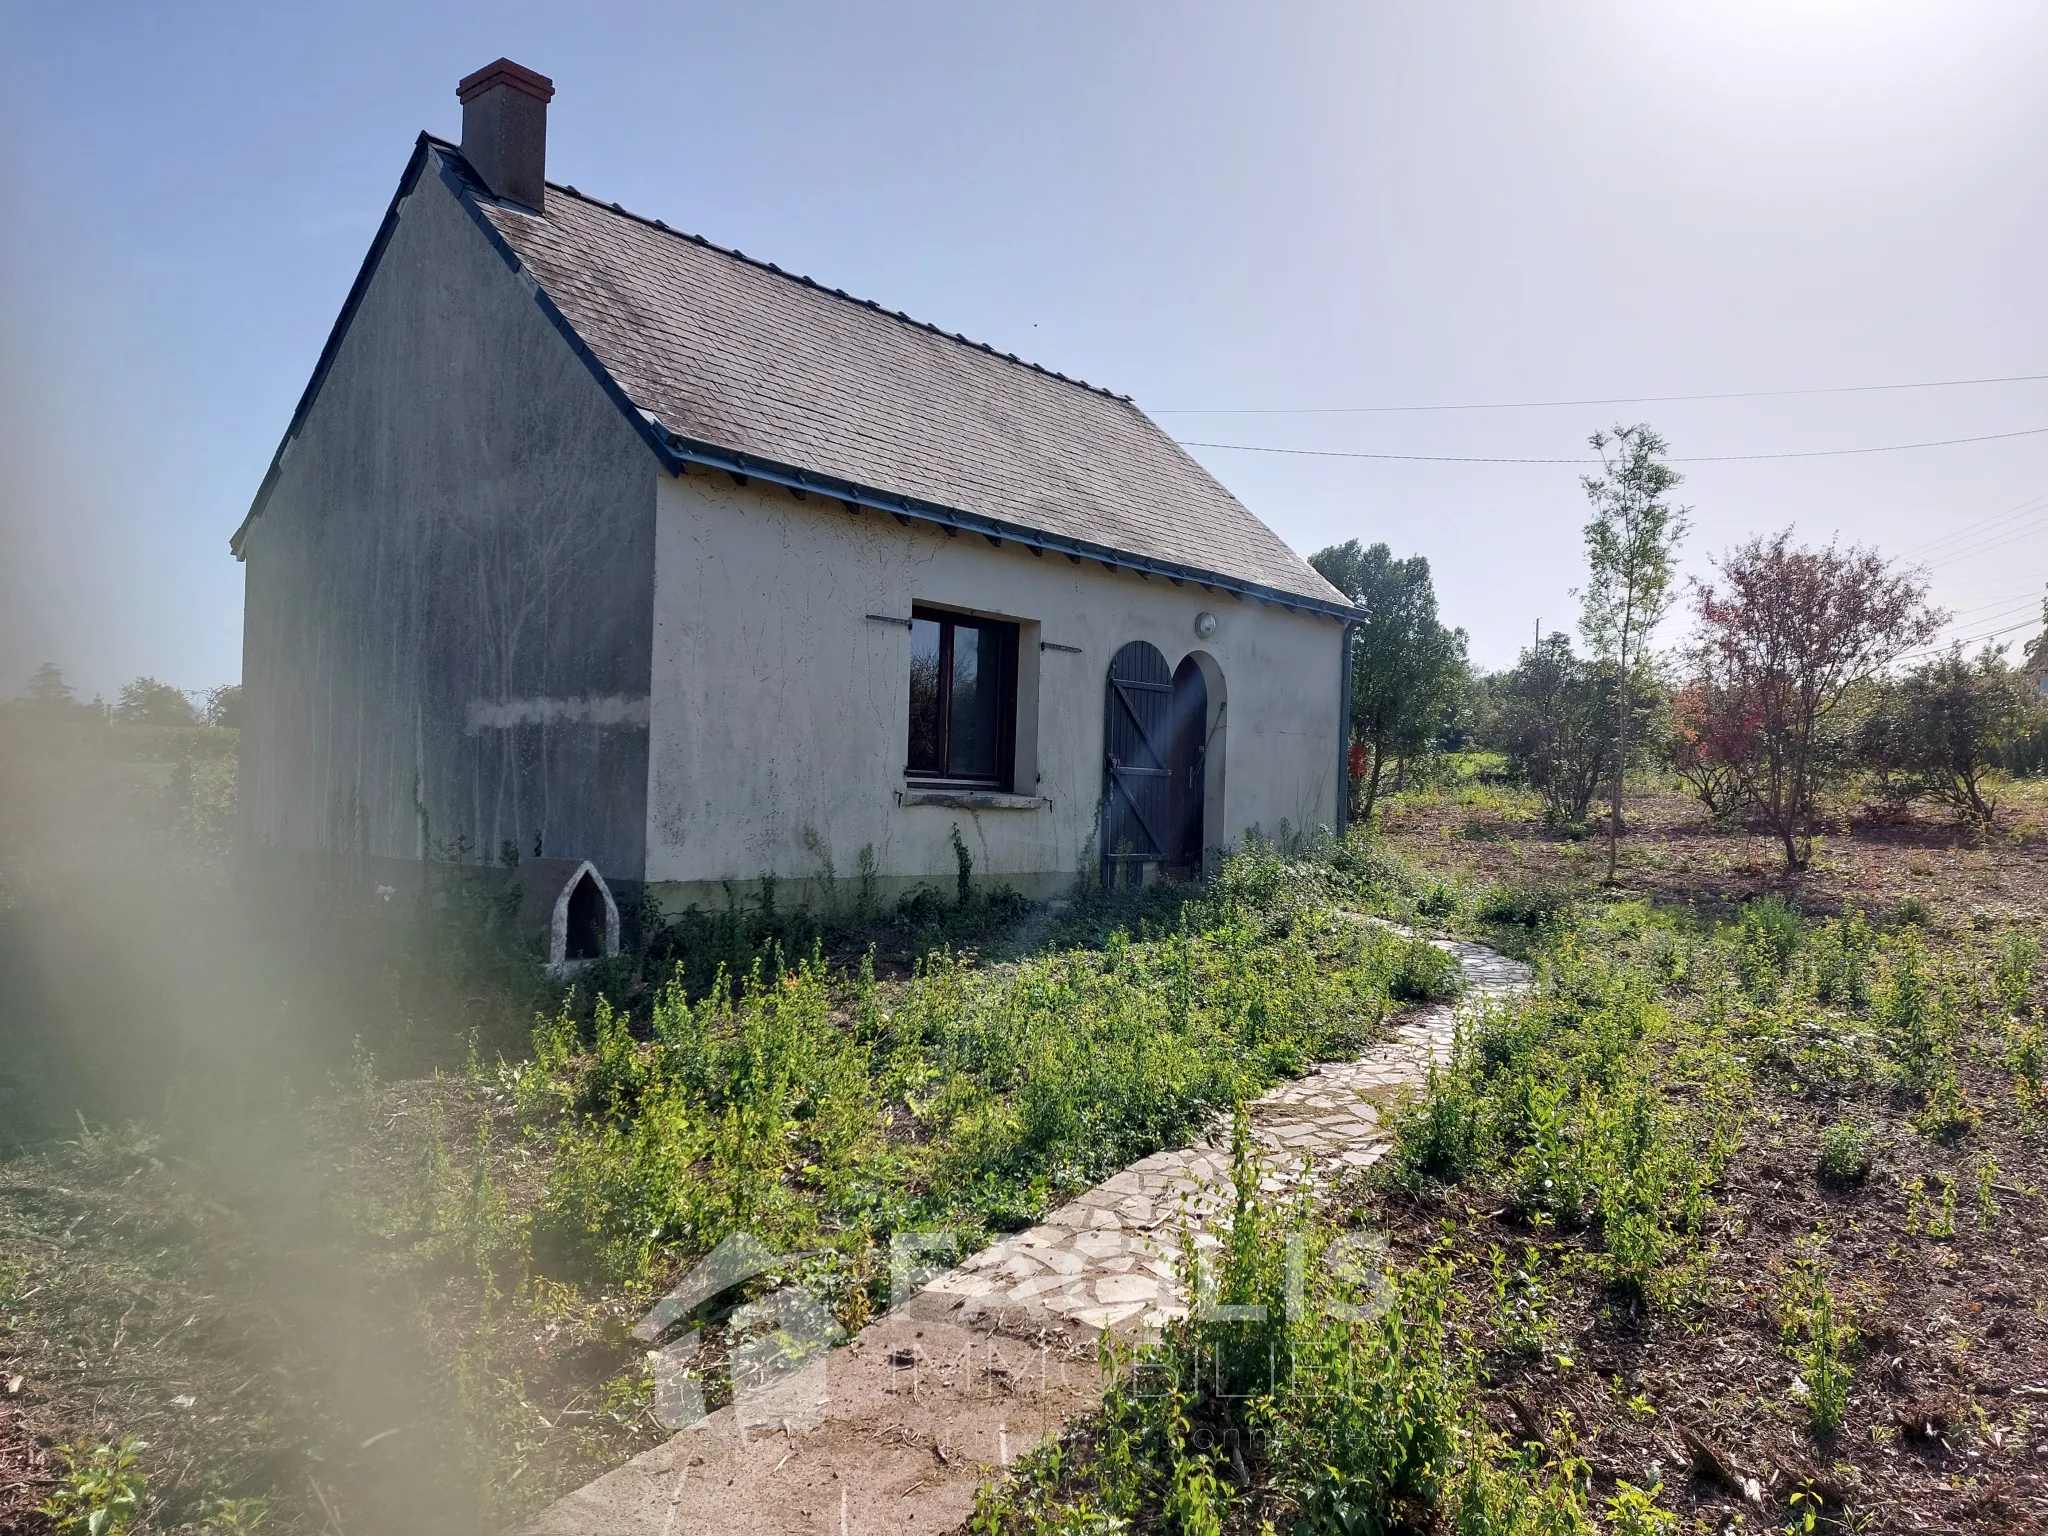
x=738, y=353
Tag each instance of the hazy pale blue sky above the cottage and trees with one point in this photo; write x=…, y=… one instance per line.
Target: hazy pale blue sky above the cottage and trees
x=1248, y=208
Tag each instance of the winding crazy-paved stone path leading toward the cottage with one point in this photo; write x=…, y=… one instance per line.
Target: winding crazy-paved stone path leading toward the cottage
x=898, y=1431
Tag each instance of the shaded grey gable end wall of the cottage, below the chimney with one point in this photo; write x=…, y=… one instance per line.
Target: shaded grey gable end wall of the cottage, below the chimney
x=450, y=587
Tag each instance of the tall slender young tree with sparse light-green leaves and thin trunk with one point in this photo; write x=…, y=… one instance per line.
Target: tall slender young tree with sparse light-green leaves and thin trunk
x=1631, y=546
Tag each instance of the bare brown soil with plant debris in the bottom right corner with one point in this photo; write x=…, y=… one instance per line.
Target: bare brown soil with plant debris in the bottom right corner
x=1949, y=1414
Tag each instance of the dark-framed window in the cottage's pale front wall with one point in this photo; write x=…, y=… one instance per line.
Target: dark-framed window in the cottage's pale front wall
x=964, y=699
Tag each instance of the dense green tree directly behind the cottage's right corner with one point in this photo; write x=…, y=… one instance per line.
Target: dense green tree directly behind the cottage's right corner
x=1408, y=671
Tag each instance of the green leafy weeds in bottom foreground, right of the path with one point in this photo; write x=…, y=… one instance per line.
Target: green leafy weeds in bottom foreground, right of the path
x=1357, y=1394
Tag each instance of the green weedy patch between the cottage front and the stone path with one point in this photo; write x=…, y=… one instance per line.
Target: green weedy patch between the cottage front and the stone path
x=814, y=1111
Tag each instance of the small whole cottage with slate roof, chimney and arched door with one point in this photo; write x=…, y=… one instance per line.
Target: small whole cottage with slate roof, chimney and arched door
x=634, y=562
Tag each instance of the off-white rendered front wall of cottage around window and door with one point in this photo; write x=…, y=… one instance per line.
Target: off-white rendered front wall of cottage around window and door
x=779, y=708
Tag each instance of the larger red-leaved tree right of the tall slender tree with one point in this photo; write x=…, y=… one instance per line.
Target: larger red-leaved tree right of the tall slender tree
x=1787, y=636
